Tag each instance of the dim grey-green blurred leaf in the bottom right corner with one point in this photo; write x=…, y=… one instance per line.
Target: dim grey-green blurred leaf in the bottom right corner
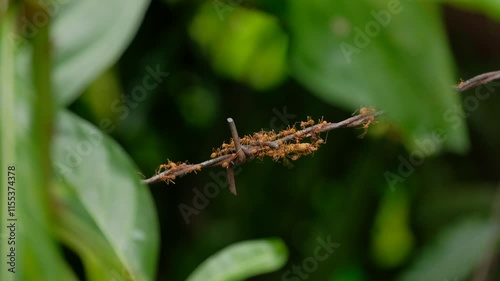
x=456, y=253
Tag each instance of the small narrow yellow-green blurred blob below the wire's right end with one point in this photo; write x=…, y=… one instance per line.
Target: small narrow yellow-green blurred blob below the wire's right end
x=392, y=240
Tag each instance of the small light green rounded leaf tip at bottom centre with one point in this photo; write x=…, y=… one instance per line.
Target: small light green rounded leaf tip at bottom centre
x=242, y=260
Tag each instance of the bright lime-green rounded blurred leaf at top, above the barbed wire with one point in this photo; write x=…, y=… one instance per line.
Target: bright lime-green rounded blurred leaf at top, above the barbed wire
x=246, y=45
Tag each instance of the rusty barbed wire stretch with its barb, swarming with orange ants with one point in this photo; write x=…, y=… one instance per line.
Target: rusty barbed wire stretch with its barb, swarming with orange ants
x=285, y=144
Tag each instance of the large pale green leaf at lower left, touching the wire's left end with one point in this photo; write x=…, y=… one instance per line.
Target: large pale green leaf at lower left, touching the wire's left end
x=110, y=215
